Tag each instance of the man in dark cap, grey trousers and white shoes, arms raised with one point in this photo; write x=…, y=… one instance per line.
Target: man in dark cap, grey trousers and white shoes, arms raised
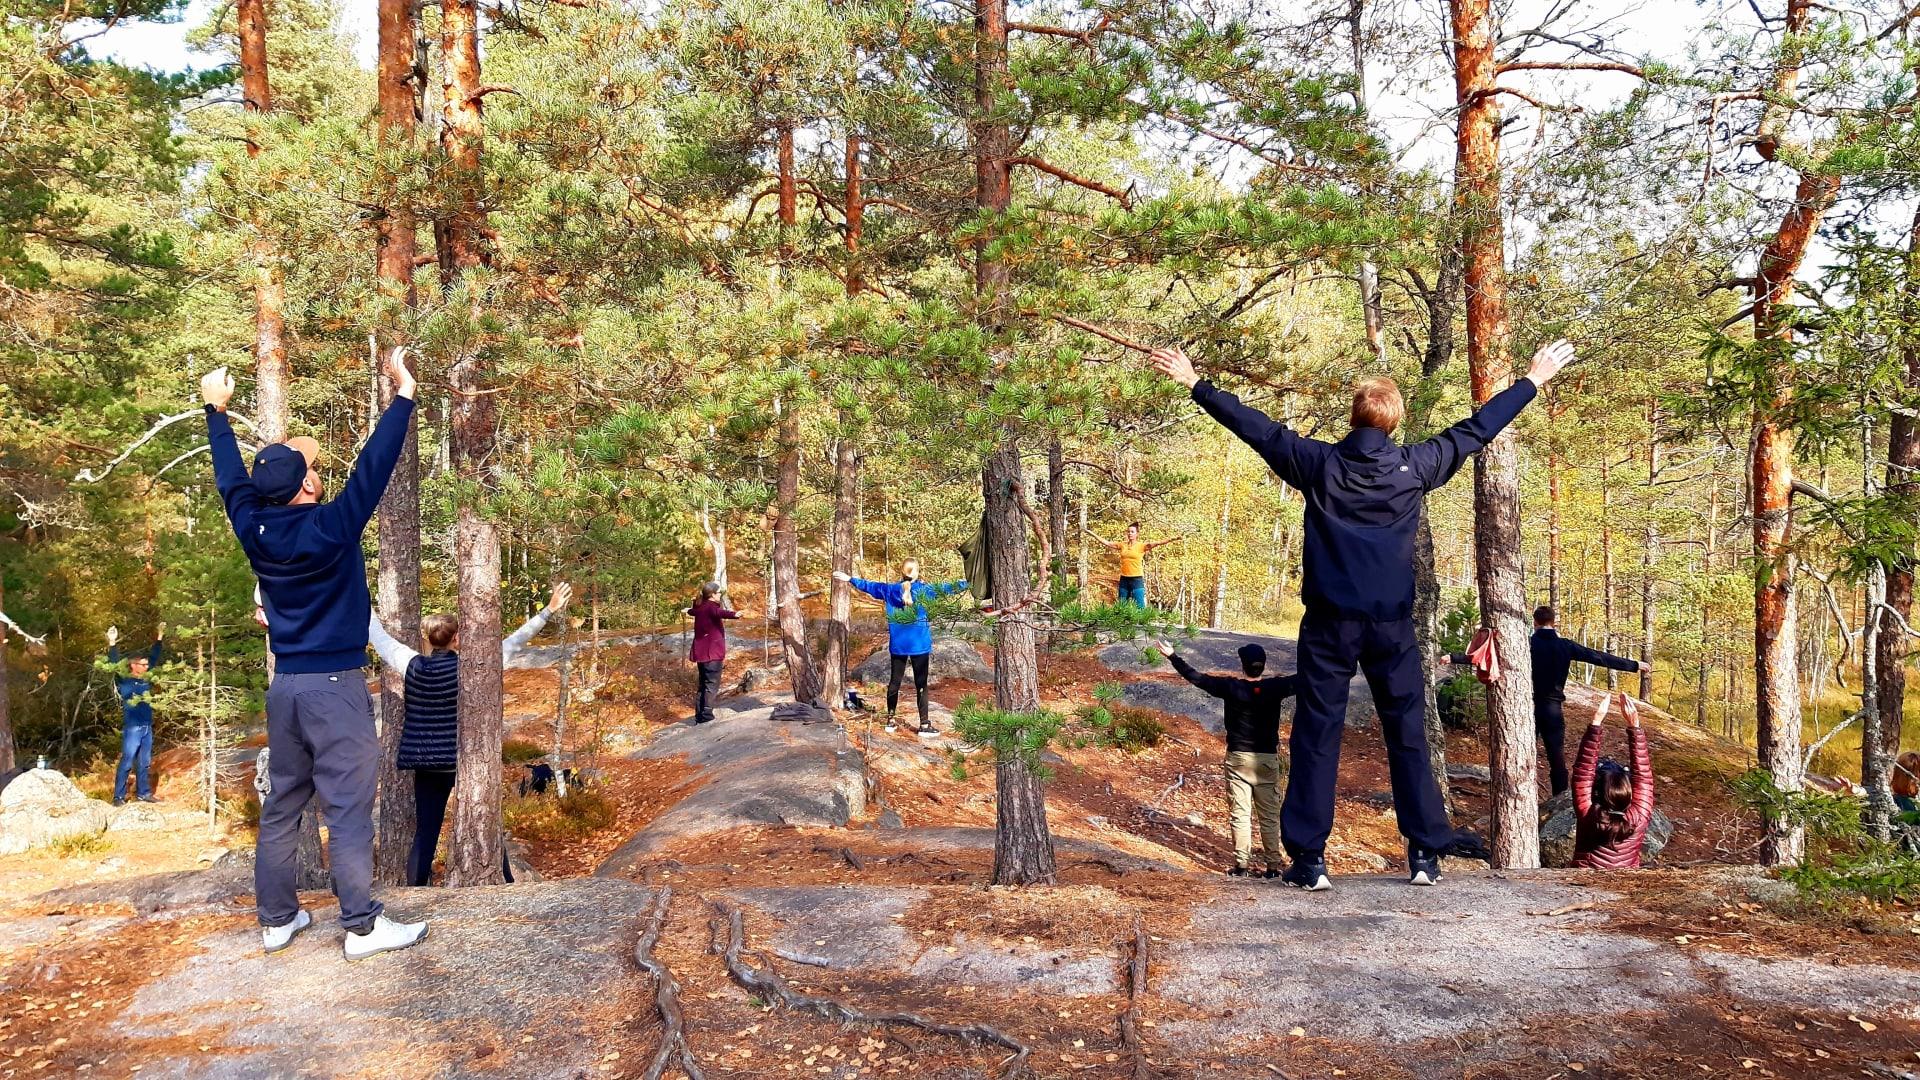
x=320, y=720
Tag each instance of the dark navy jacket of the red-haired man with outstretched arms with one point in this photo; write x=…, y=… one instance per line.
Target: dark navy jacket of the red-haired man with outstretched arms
x=1362, y=497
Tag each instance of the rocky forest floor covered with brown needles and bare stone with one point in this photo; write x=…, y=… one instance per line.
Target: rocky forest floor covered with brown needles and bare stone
x=876, y=896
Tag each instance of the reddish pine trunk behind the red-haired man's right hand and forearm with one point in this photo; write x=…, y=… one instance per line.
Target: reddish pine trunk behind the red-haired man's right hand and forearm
x=1497, y=493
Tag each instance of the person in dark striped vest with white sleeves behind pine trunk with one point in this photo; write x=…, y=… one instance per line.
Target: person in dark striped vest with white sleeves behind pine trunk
x=431, y=731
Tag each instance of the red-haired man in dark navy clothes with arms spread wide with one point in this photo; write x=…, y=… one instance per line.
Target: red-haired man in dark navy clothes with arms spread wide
x=1364, y=501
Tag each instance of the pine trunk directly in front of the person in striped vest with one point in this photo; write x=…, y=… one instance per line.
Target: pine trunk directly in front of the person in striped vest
x=477, y=818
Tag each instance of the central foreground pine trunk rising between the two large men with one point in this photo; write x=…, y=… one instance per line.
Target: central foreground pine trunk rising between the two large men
x=1024, y=848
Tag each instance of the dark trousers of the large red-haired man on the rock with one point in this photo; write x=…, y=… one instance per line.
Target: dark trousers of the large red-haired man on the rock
x=1389, y=656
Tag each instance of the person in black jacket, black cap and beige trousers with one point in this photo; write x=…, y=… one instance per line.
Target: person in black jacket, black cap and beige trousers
x=1255, y=764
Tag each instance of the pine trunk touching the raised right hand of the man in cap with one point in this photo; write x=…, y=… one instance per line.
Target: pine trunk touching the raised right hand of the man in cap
x=400, y=506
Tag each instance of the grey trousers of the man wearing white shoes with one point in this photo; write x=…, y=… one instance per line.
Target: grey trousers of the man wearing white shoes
x=320, y=729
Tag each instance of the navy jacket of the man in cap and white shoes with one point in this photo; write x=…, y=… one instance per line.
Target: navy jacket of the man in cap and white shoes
x=308, y=558
